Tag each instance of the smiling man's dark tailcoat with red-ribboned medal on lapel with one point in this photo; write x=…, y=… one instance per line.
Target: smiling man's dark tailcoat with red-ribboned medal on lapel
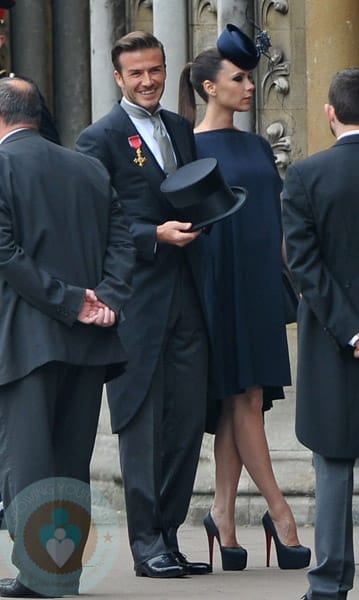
x=156, y=268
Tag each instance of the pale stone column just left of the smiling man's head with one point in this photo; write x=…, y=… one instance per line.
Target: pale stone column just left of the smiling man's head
x=104, y=91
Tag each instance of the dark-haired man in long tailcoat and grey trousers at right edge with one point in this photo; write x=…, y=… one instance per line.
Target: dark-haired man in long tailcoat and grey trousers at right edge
x=321, y=220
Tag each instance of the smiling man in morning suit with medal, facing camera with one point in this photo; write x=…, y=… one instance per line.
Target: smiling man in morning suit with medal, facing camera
x=158, y=406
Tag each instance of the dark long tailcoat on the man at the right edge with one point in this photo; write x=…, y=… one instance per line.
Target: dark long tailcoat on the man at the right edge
x=321, y=221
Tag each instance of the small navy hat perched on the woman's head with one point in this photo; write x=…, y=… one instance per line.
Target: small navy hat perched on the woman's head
x=237, y=47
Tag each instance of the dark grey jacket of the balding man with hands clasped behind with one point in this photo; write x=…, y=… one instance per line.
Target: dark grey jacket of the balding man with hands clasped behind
x=58, y=218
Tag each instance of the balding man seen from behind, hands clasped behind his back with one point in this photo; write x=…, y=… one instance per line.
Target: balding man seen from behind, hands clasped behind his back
x=66, y=263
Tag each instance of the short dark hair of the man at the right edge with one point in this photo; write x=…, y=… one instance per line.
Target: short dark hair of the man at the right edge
x=344, y=95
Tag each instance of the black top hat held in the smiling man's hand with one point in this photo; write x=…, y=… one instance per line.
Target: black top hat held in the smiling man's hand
x=200, y=194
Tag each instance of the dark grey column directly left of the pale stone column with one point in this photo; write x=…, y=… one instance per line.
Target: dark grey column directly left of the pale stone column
x=71, y=68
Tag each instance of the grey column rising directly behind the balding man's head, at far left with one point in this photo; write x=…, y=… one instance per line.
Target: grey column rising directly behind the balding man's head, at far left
x=31, y=43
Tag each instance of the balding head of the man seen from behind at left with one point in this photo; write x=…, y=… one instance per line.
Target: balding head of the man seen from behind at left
x=20, y=103
